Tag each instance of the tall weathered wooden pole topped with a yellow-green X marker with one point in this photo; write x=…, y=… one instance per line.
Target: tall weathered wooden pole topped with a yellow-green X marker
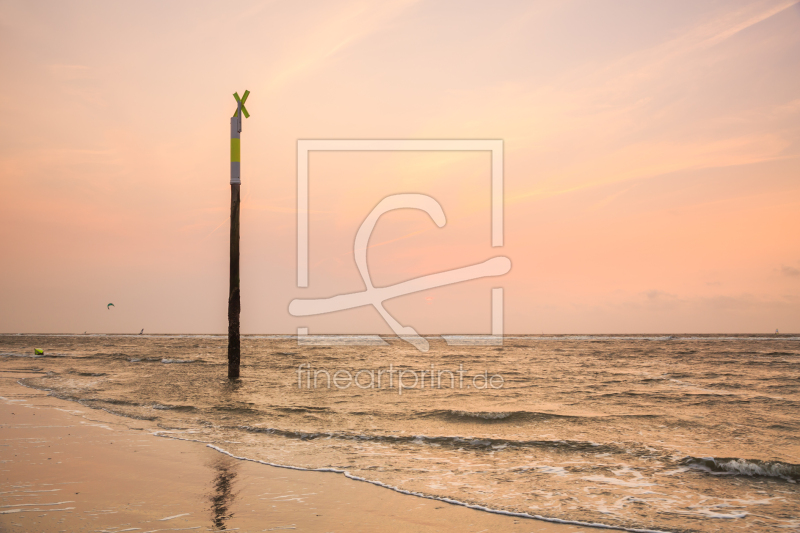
x=234, y=296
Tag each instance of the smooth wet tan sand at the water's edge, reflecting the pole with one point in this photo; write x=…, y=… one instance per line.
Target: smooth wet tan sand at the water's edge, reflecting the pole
x=68, y=468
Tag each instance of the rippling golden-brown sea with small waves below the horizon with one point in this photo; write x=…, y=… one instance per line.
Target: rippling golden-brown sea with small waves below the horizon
x=676, y=433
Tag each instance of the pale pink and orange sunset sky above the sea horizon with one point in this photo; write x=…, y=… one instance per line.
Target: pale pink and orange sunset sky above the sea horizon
x=651, y=163
